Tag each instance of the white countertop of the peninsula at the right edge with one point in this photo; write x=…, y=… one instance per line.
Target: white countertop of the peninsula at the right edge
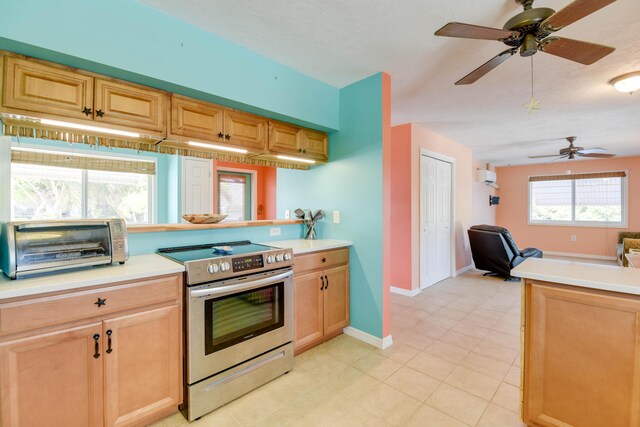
x=594, y=276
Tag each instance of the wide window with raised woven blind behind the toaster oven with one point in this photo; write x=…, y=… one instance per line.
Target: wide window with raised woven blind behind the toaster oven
x=62, y=185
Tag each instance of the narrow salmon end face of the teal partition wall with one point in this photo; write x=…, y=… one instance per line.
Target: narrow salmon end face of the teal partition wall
x=386, y=205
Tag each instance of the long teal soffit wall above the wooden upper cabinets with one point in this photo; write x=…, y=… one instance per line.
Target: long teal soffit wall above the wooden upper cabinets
x=129, y=40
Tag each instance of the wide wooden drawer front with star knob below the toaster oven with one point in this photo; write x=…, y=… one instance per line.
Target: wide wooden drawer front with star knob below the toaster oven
x=53, y=310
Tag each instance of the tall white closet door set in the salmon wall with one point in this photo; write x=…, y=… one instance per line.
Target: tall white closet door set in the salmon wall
x=436, y=220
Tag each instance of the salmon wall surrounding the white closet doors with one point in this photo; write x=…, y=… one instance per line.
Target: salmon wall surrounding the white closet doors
x=407, y=140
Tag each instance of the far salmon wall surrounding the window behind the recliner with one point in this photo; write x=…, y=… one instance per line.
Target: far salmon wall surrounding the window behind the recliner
x=512, y=212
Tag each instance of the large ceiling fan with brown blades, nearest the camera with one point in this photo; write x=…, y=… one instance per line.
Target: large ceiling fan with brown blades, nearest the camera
x=530, y=31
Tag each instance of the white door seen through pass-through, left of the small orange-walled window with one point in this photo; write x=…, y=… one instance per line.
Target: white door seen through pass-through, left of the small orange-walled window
x=197, y=194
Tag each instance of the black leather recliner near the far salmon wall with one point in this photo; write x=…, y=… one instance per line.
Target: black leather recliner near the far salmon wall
x=494, y=250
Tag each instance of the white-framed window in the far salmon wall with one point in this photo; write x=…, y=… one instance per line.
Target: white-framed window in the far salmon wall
x=590, y=199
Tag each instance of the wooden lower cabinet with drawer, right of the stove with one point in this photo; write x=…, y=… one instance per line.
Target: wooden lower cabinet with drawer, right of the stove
x=321, y=297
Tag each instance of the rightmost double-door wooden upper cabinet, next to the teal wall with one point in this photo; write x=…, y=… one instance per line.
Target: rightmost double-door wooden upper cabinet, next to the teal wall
x=285, y=138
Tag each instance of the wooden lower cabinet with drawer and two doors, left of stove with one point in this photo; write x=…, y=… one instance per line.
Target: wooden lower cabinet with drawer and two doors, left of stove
x=122, y=366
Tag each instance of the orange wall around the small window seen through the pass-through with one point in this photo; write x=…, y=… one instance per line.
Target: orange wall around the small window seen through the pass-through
x=265, y=187
